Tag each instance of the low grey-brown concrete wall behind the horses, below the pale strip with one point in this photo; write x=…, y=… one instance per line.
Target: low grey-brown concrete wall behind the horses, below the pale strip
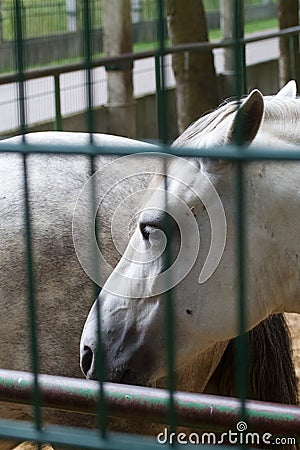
x=263, y=76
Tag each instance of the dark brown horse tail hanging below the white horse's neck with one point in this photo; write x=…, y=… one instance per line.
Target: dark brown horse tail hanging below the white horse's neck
x=272, y=376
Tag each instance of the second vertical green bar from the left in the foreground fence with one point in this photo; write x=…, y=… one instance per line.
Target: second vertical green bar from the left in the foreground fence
x=100, y=357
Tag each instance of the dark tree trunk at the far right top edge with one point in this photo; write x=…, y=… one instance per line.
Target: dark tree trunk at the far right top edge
x=288, y=11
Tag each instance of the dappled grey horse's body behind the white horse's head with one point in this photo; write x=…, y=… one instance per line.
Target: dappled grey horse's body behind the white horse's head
x=63, y=291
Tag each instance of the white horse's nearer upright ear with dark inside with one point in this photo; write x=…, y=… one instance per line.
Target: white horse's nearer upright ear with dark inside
x=247, y=119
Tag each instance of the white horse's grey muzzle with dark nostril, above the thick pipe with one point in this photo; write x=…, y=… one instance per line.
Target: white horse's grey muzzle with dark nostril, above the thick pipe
x=120, y=356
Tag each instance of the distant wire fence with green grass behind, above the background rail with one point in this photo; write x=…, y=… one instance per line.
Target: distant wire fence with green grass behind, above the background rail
x=53, y=30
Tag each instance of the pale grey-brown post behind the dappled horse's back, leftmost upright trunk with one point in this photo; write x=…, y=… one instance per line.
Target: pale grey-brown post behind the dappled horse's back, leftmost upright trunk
x=117, y=37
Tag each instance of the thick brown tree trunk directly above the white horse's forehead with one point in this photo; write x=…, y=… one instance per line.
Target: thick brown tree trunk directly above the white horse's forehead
x=194, y=71
